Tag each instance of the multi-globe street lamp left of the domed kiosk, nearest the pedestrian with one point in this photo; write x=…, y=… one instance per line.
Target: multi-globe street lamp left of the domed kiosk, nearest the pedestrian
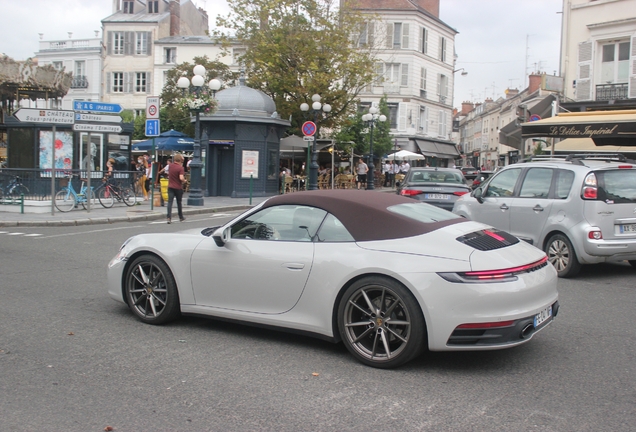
x=197, y=103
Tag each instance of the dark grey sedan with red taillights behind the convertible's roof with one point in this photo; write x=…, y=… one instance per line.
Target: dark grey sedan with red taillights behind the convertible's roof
x=440, y=187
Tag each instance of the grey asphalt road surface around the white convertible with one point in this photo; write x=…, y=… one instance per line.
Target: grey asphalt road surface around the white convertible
x=72, y=359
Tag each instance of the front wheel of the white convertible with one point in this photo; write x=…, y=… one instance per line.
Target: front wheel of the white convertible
x=151, y=290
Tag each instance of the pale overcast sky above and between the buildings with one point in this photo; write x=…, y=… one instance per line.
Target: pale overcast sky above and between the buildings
x=496, y=40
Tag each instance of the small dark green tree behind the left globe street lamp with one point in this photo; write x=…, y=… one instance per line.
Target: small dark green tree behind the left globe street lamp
x=172, y=114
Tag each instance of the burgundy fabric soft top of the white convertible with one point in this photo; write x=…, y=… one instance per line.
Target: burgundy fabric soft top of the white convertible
x=365, y=214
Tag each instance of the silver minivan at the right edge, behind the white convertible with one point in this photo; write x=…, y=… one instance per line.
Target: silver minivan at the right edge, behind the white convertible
x=579, y=209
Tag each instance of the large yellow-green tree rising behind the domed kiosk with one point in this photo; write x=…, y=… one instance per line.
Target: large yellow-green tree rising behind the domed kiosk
x=297, y=48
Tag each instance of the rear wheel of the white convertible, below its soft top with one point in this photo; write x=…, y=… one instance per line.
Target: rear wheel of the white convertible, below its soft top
x=381, y=323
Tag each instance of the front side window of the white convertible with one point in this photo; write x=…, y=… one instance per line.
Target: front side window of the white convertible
x=280, y=223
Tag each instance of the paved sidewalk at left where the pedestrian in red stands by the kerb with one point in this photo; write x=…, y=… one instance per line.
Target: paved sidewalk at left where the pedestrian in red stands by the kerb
x=121, y=213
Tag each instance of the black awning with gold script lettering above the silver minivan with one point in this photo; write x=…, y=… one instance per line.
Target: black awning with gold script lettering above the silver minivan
x=616, y=128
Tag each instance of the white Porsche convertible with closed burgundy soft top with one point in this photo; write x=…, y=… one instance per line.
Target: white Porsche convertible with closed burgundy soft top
x=388, y=276
